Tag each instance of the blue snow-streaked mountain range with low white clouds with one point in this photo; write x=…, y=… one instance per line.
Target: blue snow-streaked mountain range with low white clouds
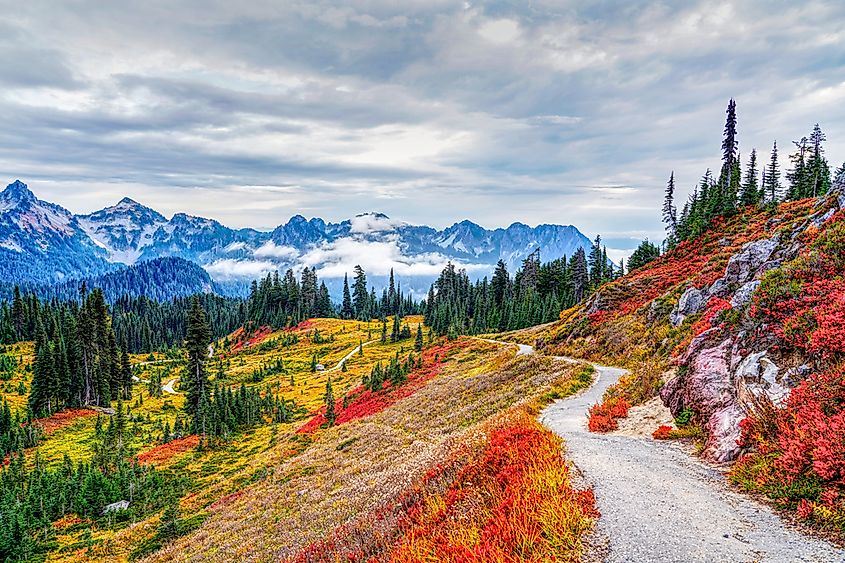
x=44, y=243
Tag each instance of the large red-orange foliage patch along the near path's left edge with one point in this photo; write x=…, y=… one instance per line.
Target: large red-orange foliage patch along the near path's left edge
x=492, y=504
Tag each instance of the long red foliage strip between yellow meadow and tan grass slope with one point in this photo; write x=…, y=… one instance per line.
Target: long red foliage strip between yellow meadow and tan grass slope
x=366, y=403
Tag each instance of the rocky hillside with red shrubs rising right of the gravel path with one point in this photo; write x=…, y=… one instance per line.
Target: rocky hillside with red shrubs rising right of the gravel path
x=740, y=332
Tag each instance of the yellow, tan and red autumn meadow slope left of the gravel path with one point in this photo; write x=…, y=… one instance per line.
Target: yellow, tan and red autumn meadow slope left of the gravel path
x=453, y=433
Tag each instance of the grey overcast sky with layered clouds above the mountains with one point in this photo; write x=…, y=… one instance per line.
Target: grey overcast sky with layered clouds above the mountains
x=429, y=111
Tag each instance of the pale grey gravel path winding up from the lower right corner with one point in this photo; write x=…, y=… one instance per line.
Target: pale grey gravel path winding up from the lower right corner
x=659, y=504
